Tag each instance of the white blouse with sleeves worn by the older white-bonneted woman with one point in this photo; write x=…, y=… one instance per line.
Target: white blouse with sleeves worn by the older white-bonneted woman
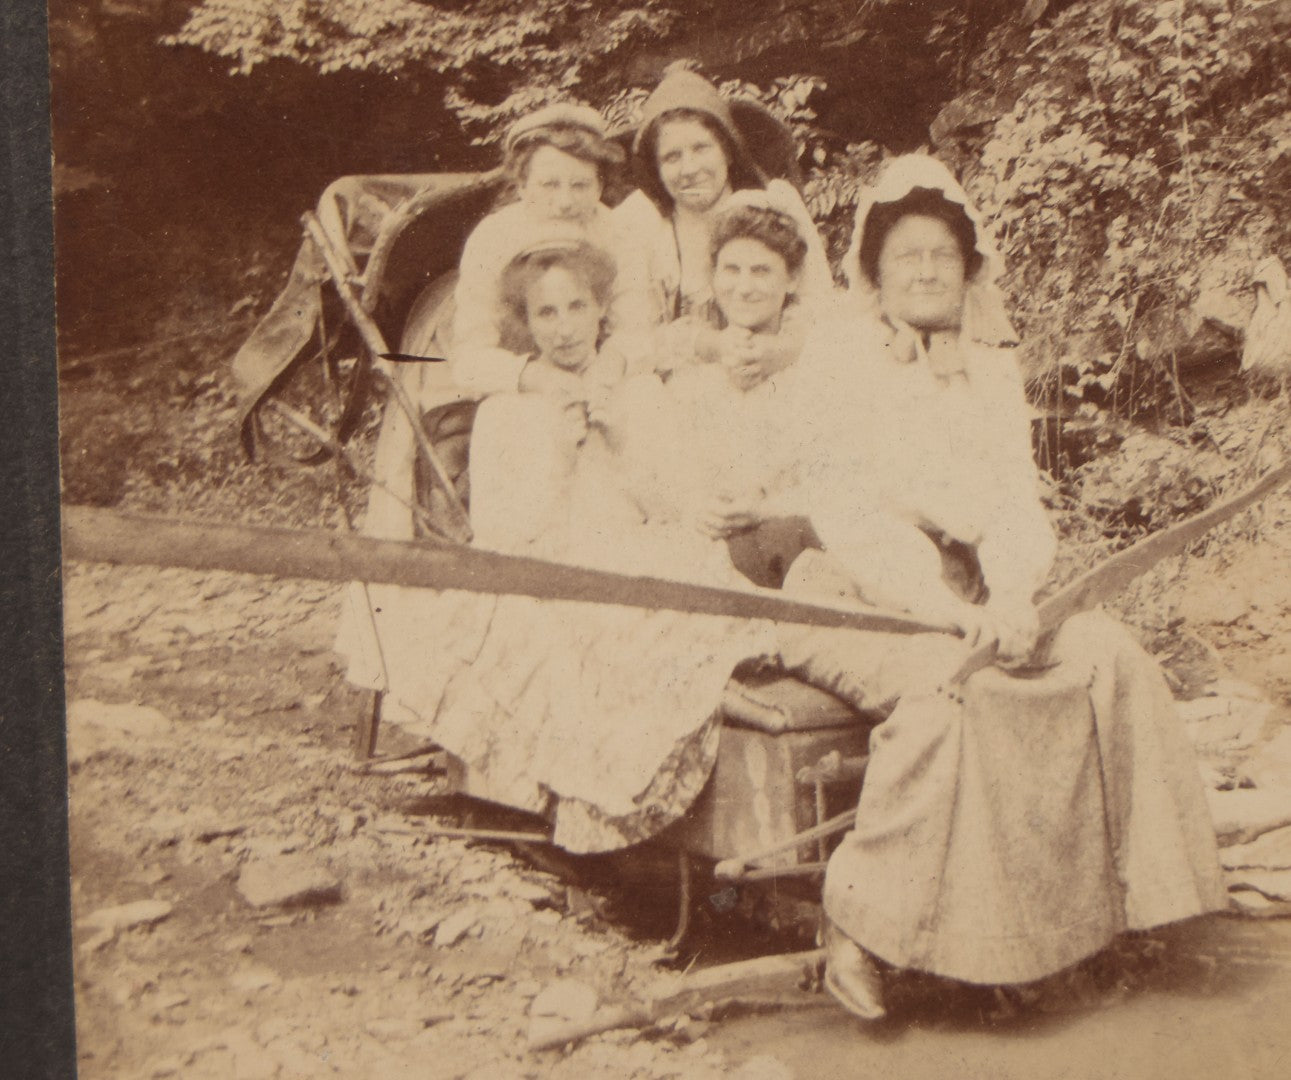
x=898, y=437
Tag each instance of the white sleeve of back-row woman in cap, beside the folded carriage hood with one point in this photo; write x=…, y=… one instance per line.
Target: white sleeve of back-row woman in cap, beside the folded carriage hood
x=480, y=363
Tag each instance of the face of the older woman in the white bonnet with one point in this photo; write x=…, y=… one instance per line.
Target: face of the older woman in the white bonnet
x=922, y=274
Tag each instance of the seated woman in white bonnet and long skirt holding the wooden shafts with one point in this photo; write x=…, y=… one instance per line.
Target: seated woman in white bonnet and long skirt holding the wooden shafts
x=1015, y=824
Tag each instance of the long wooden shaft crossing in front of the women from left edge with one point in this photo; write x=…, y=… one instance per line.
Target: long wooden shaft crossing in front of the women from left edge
x=107, y=536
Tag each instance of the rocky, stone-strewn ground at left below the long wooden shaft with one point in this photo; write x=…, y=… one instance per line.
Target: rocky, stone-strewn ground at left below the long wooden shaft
x=251, y=904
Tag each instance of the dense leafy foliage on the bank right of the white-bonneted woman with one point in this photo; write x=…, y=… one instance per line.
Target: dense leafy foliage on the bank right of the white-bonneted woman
x=1139, y=165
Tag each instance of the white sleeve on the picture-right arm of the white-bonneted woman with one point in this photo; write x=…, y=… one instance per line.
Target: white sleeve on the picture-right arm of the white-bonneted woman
x=1018, y=545
